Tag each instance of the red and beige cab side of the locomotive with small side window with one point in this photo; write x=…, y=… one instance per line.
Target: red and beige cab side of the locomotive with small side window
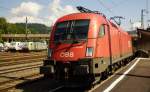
x=102, y=48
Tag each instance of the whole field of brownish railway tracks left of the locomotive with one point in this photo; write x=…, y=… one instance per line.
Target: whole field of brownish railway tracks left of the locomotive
x=19, y=69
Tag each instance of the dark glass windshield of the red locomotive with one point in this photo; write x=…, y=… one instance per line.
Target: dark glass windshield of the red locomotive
x=71, y=30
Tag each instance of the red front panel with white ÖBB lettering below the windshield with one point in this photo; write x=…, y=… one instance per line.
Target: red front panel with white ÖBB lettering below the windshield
x=70, y=52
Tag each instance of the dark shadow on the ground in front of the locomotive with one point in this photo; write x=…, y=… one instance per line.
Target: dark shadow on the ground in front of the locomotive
x=45, y=85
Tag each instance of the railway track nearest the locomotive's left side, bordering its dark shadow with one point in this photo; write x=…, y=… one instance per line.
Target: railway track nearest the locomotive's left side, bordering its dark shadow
x=10, y=77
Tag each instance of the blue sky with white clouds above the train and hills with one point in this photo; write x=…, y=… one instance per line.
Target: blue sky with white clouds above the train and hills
x=48, y=11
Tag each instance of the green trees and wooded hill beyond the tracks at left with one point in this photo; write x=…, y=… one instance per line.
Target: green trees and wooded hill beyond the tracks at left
x=19, y=28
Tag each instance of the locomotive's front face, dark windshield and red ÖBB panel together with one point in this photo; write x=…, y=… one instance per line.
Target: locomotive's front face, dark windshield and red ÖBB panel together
x=70, y=39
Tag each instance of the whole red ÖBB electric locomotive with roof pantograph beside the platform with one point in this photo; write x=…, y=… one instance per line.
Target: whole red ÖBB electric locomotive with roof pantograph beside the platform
x=85, y=46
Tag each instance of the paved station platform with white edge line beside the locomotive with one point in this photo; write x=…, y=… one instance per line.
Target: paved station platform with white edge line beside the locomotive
x=135, y=77
